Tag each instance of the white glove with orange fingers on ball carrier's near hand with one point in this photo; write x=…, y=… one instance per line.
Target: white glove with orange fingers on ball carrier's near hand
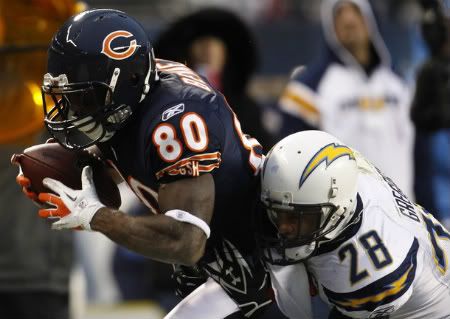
x=74, y=207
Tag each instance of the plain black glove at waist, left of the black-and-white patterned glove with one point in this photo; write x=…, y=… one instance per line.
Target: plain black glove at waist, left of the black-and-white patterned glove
x=187, y=279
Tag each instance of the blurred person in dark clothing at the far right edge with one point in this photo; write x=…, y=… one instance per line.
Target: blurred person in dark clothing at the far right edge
x=431, y=115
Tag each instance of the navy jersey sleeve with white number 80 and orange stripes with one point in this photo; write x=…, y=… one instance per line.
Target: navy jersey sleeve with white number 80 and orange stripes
x=186, y=142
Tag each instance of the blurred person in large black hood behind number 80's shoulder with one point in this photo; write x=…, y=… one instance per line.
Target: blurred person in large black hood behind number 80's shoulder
x=219, y=45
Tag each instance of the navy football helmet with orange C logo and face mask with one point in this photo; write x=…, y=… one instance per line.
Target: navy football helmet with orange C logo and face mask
x=100, y=67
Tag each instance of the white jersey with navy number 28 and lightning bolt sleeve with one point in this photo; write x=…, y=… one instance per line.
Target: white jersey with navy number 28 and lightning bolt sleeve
x=392, y=261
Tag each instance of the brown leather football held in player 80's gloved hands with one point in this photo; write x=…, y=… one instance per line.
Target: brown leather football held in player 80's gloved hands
x=54, y=161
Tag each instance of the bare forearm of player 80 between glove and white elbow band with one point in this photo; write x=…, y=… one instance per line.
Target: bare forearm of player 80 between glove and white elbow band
x=155, y=236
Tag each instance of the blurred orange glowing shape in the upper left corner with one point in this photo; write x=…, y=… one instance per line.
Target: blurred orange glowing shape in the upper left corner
x=25, y=25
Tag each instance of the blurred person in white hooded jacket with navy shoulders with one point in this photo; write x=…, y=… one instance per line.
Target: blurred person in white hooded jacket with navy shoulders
x=353, y=93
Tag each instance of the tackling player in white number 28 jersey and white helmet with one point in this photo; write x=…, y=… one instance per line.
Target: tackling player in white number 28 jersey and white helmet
x=371, y=252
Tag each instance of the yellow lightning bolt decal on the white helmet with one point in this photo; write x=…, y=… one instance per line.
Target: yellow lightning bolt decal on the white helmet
x=327, y=154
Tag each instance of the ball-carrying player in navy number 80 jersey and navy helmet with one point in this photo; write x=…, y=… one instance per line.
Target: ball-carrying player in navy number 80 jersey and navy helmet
x=178, y=145
